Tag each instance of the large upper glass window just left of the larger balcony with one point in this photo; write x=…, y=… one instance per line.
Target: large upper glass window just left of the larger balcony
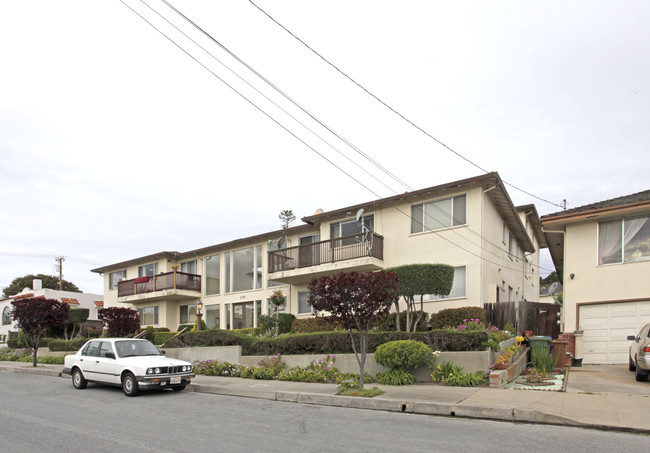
x=244, y=269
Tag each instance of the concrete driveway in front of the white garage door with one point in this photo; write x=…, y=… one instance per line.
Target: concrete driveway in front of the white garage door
x=605, y=379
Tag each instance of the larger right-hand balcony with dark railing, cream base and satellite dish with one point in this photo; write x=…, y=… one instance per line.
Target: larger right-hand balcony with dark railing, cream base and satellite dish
x=357, y=252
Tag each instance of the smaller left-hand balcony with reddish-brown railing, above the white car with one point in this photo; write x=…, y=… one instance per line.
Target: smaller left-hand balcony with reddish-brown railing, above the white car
x=169, y=285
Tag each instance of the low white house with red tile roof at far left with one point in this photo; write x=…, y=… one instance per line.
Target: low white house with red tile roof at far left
x=93, y=302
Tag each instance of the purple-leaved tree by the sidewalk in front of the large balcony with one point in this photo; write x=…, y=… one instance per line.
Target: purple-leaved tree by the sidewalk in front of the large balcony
x=355, y=299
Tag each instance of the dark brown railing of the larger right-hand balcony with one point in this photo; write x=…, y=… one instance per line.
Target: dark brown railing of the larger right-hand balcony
x=331, y=251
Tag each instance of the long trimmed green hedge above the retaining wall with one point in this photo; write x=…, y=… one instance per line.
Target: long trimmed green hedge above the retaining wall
x=327, y=342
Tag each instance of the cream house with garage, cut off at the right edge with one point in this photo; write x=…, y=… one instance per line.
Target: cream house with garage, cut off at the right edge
x=602, y=255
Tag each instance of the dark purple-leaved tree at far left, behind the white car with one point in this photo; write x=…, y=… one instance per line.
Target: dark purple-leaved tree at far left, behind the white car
x=35, y=316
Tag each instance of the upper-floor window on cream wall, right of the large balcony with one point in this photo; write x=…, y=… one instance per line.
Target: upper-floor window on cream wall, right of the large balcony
x=438, y=214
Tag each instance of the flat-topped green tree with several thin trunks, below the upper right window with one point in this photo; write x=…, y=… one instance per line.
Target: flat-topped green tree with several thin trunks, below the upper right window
x=418, y=280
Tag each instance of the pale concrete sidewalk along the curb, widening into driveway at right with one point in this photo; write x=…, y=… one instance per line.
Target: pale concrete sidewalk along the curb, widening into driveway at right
x=597, y=396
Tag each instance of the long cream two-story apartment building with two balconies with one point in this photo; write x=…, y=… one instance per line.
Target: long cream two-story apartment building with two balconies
x=469, y=224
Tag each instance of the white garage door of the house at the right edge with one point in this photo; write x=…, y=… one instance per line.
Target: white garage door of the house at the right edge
x=606, y=327
